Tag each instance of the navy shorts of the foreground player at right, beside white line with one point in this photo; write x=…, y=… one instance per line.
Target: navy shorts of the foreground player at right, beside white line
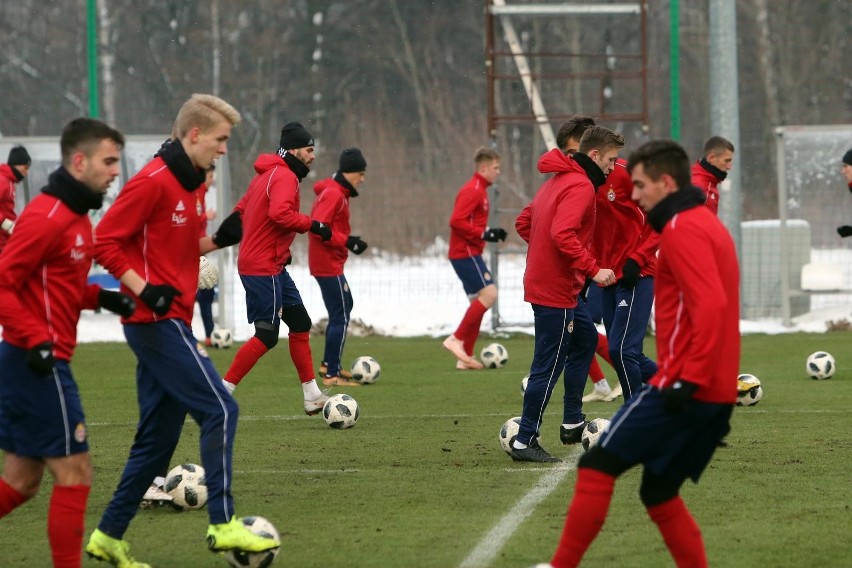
x=673, y=445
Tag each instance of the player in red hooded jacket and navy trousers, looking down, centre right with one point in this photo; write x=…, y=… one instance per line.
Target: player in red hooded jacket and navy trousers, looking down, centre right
x=558, y=225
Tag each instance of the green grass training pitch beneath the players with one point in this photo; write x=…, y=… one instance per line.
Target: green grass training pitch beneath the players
x=421, y=480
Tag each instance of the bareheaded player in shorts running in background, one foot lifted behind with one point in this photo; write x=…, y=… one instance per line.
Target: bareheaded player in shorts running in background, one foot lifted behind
x=468, y=234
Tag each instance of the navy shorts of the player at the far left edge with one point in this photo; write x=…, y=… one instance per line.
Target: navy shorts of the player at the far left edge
x=39, y=416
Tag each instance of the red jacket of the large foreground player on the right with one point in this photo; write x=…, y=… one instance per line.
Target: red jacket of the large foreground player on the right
x=698, y=306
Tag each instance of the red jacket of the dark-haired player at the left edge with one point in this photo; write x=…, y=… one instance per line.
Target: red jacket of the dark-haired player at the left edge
x=43, y=273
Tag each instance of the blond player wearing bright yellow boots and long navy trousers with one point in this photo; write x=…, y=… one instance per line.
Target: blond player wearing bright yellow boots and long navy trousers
x=150, y=239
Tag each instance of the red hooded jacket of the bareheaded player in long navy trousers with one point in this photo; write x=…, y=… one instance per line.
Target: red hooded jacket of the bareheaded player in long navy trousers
x=558, y=225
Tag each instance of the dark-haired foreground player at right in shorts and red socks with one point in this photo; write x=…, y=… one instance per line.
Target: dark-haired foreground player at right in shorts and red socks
x=674, y=424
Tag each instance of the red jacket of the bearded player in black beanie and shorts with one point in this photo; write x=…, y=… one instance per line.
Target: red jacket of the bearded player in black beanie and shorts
x=271, y=217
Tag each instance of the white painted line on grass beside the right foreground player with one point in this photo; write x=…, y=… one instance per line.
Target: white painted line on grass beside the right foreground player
x=489, y=547
